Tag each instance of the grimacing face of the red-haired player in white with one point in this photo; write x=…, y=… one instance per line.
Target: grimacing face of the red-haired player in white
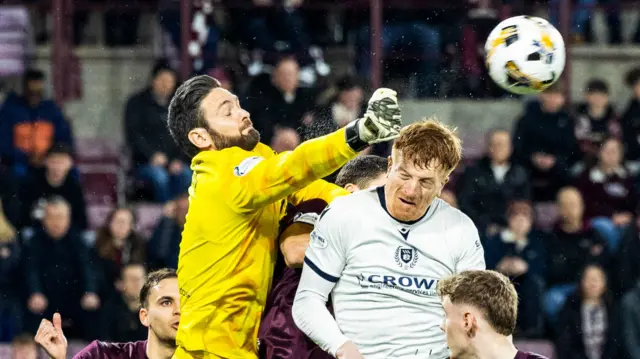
x=411, y=188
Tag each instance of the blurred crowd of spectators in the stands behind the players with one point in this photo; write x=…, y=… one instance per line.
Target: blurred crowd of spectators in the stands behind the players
x=578, y=276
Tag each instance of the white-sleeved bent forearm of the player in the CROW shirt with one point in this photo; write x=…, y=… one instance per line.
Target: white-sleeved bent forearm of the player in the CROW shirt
x=311, y=315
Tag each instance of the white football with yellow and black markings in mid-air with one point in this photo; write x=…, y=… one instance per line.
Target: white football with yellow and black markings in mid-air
x=525, y=54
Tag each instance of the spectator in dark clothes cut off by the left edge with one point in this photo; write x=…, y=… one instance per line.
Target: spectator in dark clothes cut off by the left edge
x=10, y=309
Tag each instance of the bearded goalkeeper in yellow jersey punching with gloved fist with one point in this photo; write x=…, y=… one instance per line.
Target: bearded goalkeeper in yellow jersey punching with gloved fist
x=239, y=193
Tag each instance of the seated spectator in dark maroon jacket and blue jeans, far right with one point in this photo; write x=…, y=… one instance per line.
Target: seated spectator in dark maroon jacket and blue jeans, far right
x=609, y=191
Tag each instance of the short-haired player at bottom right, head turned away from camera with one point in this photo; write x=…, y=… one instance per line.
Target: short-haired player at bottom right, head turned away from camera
x=481, y=308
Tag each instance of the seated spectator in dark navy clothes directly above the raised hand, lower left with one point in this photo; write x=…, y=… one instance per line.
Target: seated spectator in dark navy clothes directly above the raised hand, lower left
x=59, y=274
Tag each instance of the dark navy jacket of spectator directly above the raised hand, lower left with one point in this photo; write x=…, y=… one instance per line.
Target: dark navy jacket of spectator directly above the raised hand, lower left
x=59, y=269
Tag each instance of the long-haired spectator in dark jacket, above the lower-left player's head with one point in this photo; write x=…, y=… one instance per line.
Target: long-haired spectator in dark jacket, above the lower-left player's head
x=117, y=244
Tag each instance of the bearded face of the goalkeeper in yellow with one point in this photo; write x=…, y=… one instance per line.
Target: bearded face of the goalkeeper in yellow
x=229, y=125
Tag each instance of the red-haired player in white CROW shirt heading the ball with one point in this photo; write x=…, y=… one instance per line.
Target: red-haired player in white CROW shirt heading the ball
x=381, y=252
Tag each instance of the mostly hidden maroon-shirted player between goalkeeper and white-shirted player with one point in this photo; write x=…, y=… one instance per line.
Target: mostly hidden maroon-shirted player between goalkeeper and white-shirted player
x=279, y=336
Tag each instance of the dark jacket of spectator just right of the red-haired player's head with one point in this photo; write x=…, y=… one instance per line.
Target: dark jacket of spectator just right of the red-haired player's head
x=484, y=200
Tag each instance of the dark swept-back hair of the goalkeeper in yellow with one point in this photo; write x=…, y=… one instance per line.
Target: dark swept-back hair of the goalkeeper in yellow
x=185, y=112
